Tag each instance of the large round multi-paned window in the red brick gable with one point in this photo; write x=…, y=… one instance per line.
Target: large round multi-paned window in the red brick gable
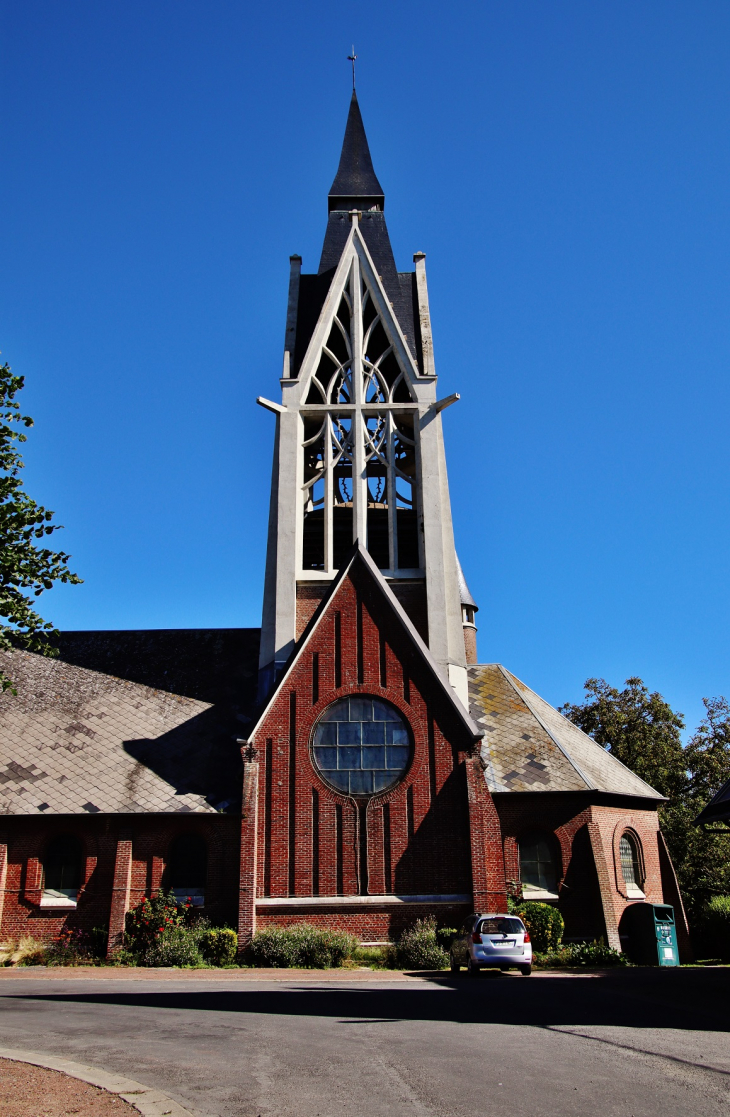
x=362, y=746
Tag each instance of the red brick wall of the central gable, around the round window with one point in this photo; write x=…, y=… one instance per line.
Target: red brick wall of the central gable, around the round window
x=414, y=839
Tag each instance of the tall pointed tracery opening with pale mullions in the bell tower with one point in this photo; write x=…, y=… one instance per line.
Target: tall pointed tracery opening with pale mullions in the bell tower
x=360, y=444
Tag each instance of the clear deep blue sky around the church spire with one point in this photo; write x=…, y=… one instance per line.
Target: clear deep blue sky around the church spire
x=565, y=168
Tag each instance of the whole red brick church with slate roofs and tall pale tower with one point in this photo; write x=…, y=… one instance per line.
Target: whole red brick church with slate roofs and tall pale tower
x=351, y=765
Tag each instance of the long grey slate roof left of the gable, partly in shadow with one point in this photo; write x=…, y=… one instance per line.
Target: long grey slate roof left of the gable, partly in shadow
x=128, y=723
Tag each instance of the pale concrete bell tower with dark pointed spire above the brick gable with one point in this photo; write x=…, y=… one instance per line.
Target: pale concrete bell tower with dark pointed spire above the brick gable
x=359, y=447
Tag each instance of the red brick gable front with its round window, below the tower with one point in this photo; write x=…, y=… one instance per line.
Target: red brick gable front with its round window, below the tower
x=321, y=836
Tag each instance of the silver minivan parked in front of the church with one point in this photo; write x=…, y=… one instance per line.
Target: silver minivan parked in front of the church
x=497, y=942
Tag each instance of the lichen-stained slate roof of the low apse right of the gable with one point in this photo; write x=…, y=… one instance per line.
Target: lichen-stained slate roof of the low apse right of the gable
x=530, y=747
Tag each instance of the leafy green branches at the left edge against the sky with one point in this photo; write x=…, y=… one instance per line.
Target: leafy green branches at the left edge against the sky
x=26, y=568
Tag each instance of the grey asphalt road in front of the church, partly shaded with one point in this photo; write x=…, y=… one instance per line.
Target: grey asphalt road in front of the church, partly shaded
x=636, y=1044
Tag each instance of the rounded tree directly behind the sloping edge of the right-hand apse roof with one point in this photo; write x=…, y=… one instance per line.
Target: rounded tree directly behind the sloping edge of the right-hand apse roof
x=639, y=729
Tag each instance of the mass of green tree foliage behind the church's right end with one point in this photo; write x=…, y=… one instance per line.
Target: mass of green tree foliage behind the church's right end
x=643, y=732
